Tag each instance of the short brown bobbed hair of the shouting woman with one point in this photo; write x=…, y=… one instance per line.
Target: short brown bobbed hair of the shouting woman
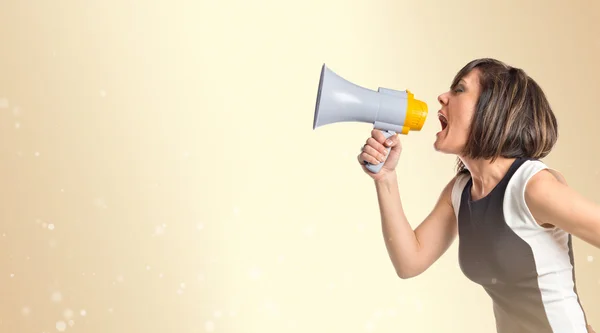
x=513, y=118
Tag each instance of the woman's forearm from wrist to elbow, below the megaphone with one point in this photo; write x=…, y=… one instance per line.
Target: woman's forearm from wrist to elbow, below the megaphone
x=400, y=239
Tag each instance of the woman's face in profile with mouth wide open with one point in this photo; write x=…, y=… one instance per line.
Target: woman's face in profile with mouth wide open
x=456, y=112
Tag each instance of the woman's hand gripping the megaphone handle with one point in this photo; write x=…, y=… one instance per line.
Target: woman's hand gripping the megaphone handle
x=374, y=152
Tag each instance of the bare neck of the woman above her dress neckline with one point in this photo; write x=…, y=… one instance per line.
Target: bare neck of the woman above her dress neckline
x=486, y=174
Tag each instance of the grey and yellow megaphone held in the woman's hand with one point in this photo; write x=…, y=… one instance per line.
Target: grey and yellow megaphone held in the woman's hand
x=391, y=111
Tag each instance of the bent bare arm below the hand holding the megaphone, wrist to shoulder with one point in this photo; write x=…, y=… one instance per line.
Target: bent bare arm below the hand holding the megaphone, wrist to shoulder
x=412, y=252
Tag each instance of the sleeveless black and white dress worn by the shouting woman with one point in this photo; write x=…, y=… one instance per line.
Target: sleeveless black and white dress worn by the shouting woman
x=525, y=268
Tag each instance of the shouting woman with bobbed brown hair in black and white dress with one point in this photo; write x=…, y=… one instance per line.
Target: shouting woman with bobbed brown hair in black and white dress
x=514, y=216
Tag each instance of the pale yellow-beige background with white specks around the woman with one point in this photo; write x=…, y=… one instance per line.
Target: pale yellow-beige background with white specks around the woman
x=160, y=172
